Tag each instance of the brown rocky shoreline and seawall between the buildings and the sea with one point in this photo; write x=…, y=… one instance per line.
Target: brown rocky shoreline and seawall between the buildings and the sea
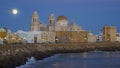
x=16, y=54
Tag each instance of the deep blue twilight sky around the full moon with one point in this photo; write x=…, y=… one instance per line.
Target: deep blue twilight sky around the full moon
x=89, y=14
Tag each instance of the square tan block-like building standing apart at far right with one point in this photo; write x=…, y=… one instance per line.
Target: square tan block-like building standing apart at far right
x=109, y=33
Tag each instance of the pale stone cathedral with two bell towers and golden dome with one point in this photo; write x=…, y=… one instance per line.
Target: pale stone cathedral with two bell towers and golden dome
x=59, y=24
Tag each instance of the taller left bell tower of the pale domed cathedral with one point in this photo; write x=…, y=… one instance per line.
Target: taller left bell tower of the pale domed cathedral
x=35, y=22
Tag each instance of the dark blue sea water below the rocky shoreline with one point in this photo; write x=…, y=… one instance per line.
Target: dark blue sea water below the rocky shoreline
x=97, y=59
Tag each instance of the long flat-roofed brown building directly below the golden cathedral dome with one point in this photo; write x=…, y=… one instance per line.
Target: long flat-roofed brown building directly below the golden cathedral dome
x=71, y=36
